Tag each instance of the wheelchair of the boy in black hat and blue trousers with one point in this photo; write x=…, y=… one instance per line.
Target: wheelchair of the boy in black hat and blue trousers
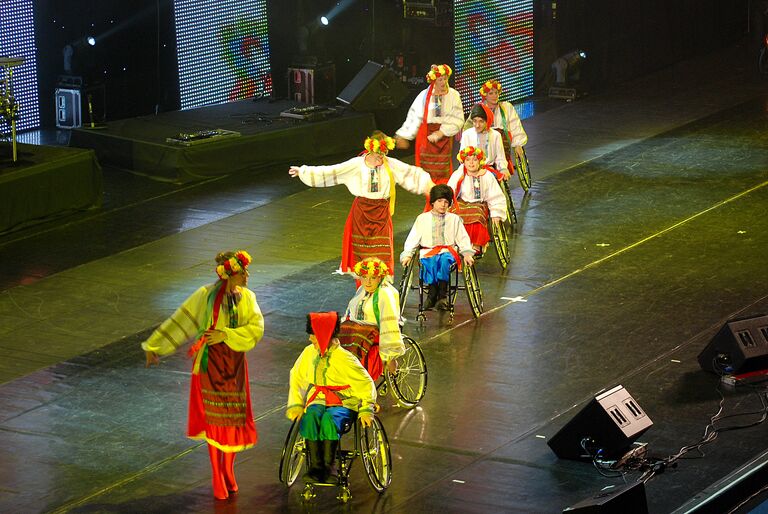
x=471, y=286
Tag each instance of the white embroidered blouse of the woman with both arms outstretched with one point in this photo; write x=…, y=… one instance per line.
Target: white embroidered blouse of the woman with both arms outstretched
x=367, y=182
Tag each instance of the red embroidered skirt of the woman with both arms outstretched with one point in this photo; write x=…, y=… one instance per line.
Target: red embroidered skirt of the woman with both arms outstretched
x=367, y=233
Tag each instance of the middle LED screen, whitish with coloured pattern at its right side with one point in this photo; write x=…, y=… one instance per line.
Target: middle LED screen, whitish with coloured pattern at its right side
x=223, y=50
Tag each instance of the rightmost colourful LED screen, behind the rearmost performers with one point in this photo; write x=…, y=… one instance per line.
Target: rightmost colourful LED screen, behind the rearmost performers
x=494, y=40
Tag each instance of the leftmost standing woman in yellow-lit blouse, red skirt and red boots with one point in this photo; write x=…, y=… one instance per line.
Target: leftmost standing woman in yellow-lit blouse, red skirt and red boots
x=227, y=320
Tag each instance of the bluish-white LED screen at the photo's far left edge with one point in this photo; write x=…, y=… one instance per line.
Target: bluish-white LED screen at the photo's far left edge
x=17, y=39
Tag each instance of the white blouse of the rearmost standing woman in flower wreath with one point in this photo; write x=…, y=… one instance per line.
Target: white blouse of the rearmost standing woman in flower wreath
x=451, y=116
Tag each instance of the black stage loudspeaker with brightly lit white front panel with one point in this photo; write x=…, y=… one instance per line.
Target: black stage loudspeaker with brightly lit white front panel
x=605, y=427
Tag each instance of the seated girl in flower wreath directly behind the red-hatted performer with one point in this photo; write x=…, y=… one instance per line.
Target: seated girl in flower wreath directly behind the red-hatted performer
x=371, y=326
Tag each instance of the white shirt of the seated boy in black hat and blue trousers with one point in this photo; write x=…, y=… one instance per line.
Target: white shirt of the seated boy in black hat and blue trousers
x=431, y=230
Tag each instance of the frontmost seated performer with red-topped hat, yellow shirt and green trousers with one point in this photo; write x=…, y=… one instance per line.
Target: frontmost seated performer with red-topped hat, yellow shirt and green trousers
x=329, y=389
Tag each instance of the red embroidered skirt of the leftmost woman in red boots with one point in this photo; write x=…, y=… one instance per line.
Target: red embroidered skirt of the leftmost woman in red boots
x=220, y=402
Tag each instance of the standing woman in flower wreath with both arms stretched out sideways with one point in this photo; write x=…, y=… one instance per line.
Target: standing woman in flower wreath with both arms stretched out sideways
x=371, y=178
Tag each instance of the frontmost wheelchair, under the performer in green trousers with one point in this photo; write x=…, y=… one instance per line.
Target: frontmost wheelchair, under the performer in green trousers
x=370, y=444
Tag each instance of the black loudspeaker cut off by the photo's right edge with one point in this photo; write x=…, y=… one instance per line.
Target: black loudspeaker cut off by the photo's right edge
x=740, y=346
